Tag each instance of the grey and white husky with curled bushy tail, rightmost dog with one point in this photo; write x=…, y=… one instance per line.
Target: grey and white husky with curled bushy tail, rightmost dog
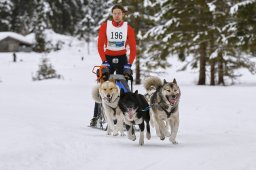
x=164, y=103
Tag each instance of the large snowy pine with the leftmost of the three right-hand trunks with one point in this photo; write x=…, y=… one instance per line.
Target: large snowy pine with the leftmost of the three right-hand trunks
x=182, y=29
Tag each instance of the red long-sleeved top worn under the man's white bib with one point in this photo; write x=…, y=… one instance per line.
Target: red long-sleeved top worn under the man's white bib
x=103, y=42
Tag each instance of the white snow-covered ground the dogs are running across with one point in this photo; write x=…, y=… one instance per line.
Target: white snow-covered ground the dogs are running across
x=44, y=124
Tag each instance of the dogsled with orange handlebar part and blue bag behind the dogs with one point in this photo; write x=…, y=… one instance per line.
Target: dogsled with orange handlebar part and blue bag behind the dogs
x=122, y=81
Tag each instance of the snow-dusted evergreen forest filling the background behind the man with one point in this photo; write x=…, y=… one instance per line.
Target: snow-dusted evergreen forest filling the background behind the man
x=219, y=35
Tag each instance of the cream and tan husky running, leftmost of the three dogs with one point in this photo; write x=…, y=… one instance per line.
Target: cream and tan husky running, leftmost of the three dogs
x=108, y=93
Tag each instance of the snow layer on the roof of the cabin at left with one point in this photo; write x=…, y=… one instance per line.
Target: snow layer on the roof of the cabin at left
x=16, y=36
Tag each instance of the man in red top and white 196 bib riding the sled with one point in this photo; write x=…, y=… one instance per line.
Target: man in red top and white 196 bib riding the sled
x=113, y=38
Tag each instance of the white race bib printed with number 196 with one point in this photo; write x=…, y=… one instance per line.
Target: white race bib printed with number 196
x=116, y=36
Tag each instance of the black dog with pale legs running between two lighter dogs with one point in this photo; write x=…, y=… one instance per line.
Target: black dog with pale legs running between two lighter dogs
x=136, y=110
